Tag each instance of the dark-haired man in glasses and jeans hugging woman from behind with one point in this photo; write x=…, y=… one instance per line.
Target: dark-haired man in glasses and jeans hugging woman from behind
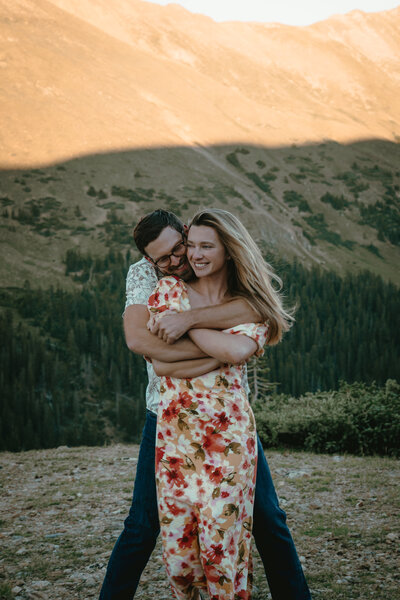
x=160, y=237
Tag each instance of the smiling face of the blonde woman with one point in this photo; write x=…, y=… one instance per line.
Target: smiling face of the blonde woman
x=205, y=251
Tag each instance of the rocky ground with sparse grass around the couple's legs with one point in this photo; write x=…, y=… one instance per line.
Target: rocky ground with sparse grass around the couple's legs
x=62, y=510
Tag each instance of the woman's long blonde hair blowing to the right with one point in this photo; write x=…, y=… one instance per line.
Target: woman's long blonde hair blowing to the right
x=249, y=275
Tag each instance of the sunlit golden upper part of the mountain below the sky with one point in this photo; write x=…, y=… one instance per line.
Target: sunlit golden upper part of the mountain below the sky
x=196, y=81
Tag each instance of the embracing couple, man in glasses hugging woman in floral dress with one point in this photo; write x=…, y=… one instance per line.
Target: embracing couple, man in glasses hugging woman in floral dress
x=202, y=476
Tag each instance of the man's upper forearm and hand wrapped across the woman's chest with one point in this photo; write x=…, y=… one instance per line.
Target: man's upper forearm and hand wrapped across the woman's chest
x=171, y=326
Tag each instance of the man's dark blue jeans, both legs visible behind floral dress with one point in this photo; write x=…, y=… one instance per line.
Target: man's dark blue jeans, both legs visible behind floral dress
x=136, y=543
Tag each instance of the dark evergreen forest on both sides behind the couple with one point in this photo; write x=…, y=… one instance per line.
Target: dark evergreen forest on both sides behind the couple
x=67, y=377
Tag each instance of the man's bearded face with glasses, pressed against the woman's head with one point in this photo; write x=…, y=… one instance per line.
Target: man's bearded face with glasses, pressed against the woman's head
x=169, y=240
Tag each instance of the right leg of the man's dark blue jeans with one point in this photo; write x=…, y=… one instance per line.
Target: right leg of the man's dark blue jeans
x=273, y=539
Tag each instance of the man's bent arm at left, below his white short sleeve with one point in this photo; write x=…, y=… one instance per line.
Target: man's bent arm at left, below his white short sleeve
x=139, y=339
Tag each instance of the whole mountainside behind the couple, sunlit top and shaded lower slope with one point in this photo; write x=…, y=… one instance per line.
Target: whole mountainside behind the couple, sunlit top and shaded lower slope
x=111, y=109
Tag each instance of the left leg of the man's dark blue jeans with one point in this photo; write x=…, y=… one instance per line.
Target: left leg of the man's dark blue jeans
x=136, y=543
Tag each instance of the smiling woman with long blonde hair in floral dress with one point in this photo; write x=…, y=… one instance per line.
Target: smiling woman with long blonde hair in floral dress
x=206, y=447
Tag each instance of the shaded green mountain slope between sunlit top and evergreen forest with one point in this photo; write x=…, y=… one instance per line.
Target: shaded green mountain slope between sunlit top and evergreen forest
x=329, y=204
